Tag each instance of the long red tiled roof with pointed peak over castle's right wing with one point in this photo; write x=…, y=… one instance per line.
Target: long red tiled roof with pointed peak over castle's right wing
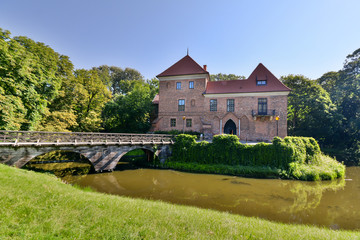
x=248, y=85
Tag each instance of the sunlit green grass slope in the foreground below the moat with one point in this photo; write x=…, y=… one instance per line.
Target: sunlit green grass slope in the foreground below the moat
x=40, y=206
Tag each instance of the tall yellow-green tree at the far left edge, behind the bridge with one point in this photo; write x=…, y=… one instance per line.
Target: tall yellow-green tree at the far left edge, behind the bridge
x=19, y=83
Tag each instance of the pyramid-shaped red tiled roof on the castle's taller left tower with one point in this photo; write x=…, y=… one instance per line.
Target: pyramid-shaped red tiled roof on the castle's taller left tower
x=184, y=66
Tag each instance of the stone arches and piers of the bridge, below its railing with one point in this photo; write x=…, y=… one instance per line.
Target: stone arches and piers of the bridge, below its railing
x=102, y=157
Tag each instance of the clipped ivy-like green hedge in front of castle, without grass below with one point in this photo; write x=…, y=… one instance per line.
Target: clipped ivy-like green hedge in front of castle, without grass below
x=226, y=149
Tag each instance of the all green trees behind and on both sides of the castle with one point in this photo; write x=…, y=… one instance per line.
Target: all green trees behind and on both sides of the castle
x=40, y=90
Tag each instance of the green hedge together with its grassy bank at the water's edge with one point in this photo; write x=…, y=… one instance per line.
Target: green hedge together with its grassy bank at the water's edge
x=290, y=158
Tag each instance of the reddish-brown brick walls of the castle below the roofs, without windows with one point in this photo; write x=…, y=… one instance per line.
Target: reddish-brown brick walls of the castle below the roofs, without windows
x=197, y=108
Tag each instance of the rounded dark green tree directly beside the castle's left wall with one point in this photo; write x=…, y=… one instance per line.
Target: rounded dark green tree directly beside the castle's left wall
x=130, y=112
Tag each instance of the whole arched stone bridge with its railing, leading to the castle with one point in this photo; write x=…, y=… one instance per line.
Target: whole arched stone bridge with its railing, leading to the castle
x=103, y=150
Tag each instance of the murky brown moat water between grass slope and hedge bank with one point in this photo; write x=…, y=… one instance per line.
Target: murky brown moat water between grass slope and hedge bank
x=333, y=204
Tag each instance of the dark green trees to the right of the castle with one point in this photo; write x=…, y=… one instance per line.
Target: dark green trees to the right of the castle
x=329, y=108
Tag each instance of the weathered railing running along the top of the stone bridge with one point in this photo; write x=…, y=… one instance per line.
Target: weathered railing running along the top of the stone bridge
x=40, y=138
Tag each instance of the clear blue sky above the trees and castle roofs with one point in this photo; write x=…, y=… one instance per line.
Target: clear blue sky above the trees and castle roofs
x=308, y=37
